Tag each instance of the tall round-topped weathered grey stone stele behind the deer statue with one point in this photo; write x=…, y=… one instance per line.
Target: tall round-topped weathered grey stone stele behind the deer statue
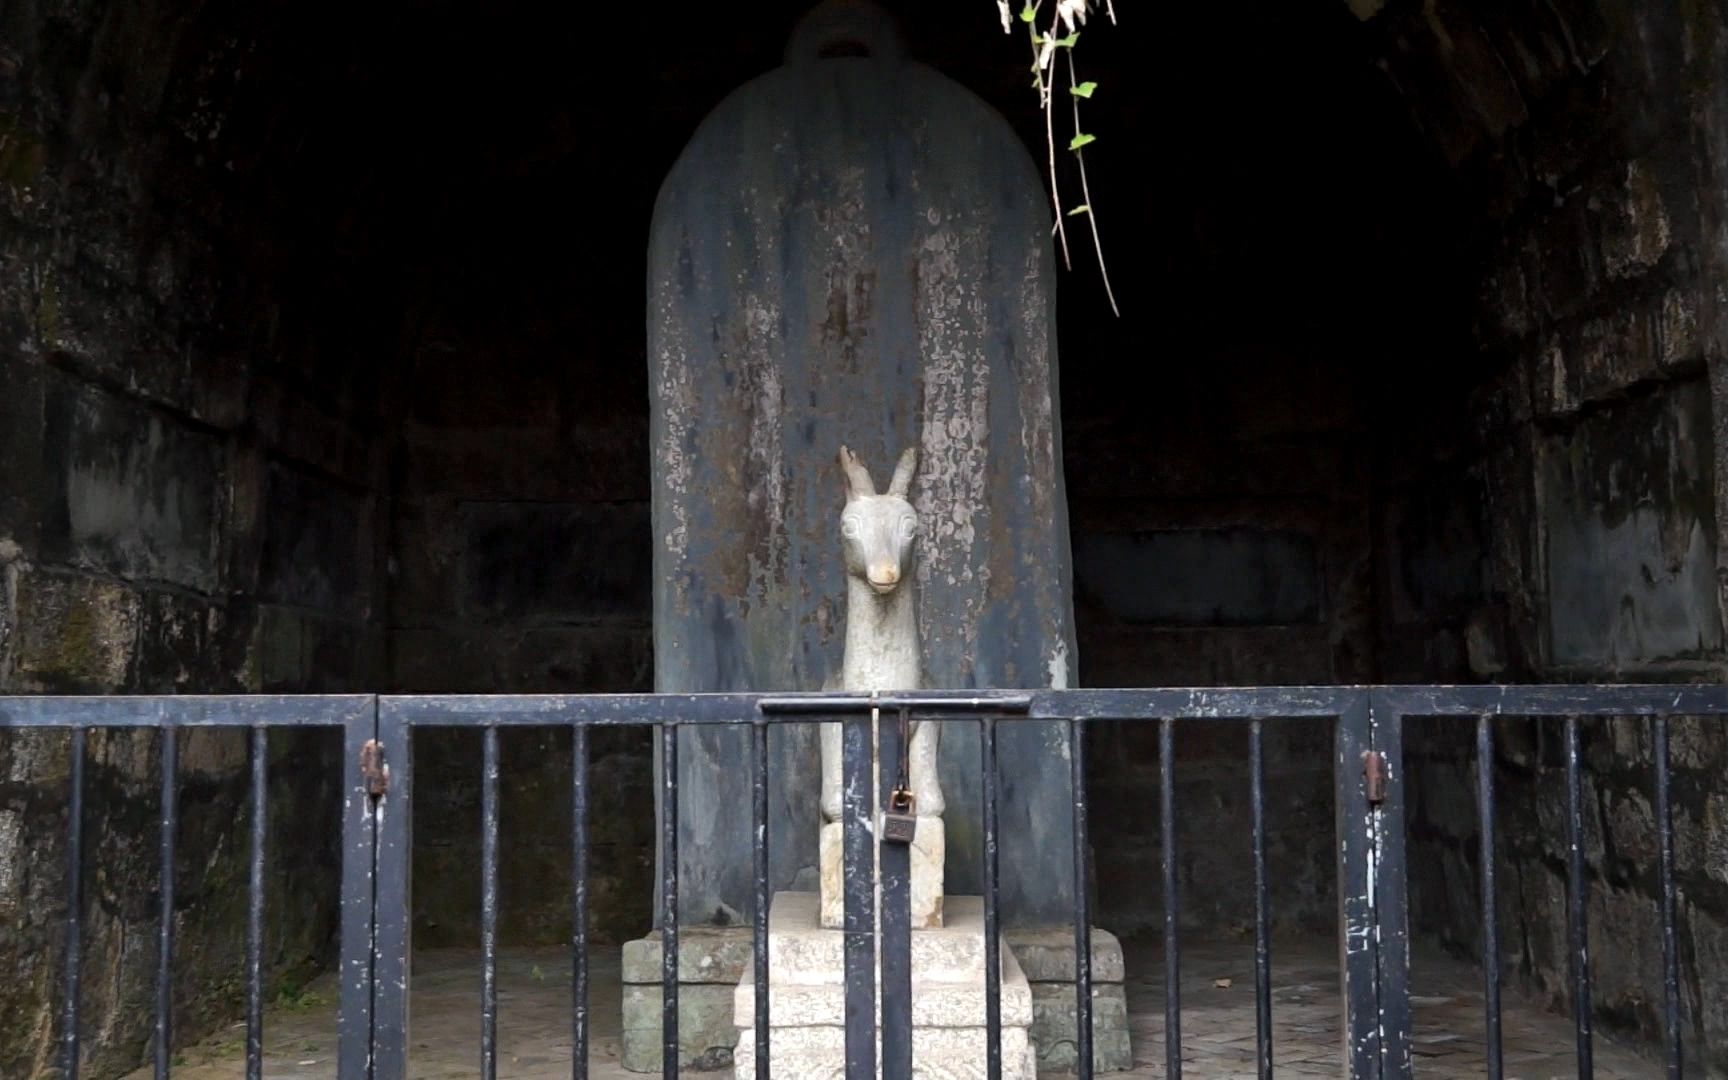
x=856, y=255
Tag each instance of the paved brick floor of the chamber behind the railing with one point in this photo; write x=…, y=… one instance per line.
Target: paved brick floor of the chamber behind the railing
x=1217, y=1022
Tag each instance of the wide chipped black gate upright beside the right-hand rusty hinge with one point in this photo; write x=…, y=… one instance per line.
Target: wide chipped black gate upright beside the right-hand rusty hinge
x=1359, y=970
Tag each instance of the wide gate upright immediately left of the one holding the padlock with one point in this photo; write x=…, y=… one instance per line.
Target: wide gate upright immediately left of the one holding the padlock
x=858, y=872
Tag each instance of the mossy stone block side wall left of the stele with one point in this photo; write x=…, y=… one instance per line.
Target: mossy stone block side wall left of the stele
x=191, y=504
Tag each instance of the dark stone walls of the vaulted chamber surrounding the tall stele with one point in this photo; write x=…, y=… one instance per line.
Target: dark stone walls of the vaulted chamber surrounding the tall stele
x=308, y=384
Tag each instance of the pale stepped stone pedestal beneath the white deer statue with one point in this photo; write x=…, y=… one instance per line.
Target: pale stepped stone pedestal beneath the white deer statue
x=808, y=1000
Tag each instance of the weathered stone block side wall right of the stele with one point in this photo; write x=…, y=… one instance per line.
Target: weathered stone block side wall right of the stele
x=1570, y=530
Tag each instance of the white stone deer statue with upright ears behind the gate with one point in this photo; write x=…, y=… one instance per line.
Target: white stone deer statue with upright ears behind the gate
x=882, y=654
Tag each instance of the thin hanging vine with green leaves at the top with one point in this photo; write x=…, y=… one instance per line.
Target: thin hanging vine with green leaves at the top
x=1051, y=39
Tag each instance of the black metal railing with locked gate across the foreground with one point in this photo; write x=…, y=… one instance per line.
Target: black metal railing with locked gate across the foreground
x=1369, y=792
